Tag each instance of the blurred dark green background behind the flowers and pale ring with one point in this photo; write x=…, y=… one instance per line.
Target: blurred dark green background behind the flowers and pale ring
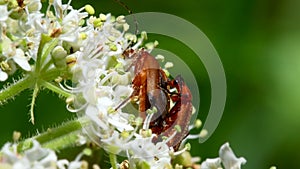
x=259, y=44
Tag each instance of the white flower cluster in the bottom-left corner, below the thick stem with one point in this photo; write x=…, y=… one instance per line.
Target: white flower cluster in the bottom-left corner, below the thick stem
x=35, y=157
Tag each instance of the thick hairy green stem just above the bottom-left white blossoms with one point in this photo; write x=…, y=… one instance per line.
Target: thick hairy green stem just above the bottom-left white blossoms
x=61, y=137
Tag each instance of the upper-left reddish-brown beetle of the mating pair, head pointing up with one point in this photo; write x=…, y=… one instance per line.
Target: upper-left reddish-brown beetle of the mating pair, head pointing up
x=147, y=84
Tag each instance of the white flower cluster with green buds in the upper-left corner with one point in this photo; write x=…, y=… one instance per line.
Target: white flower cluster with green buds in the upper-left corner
x=22, y=24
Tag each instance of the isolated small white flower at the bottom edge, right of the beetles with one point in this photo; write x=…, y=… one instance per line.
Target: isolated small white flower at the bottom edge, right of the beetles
x=228, y=158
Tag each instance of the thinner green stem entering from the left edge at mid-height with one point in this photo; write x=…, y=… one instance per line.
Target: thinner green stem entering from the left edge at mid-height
x=15, y=88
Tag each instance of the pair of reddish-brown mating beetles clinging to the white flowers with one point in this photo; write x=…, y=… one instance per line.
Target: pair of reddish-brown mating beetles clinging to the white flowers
x=153, y=88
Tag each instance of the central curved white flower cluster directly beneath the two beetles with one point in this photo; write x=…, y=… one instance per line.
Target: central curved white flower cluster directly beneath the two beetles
x=103, y=83
